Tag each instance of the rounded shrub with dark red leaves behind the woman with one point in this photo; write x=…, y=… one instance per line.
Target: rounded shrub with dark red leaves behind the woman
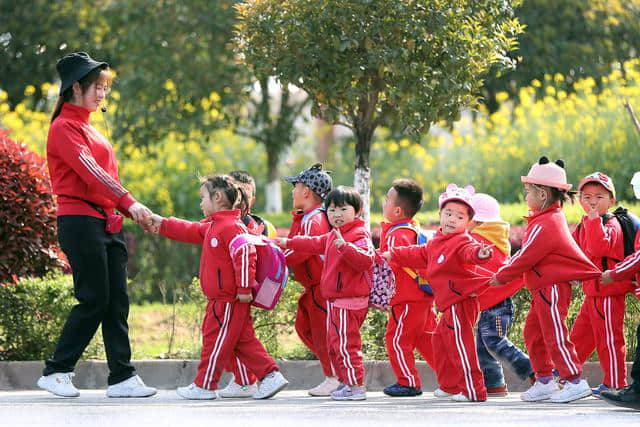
x=28, y=241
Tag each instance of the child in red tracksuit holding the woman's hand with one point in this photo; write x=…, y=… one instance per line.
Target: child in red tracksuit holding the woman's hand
x=227, y=328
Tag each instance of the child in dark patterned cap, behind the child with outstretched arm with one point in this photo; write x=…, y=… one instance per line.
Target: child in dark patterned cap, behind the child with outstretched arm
x=310, y=187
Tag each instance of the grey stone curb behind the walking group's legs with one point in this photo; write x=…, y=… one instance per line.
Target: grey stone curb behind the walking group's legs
x=302, y=374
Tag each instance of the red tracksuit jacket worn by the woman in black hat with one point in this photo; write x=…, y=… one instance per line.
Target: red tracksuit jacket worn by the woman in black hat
x=82, y=165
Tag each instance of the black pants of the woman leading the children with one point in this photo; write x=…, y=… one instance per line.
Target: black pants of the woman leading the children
x=99, y=264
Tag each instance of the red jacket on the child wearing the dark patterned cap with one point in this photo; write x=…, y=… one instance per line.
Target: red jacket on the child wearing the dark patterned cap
x=306, y=267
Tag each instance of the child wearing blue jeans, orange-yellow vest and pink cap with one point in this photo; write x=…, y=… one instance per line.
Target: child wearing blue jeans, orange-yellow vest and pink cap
x=496, y=304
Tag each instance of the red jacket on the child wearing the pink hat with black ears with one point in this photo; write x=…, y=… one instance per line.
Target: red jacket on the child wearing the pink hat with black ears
x=549, y=255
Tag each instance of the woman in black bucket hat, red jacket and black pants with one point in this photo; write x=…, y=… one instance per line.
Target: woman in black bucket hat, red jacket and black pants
x=84, y=176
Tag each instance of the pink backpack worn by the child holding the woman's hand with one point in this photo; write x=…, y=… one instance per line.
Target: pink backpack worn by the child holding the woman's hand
x=271, y=269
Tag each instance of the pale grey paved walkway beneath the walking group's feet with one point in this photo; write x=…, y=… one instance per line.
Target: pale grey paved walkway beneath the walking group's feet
x=294, y=408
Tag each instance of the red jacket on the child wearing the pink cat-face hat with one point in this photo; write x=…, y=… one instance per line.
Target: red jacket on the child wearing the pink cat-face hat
x=450, y=260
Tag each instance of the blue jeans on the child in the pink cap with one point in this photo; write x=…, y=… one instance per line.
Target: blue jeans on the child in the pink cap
x=493, y=345
